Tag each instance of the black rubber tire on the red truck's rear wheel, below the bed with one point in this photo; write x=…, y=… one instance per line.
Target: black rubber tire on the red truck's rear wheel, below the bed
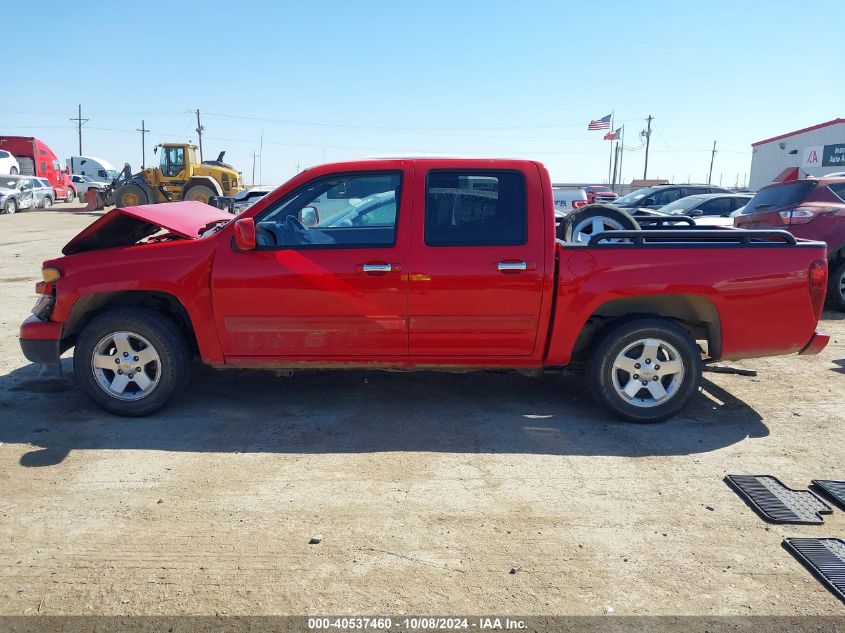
x=605, y=381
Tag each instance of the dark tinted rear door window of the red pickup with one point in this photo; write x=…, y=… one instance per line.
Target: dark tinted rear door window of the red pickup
x=475, y=208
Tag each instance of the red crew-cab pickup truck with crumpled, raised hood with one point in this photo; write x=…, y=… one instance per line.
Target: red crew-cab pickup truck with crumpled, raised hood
x=438, y=264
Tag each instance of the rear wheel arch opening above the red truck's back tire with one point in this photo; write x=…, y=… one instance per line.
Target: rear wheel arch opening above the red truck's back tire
x=696, y=314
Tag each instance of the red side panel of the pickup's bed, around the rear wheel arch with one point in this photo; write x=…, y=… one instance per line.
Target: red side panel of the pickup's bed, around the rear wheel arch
x=761, y=294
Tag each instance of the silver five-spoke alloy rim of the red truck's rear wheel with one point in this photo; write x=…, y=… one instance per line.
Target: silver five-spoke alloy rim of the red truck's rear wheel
x=648, y=372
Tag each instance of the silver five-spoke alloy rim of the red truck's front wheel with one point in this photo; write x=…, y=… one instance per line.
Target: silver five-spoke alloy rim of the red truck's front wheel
x=126, y=365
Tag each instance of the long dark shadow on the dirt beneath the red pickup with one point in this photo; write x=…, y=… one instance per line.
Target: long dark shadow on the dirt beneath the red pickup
x=354, y=411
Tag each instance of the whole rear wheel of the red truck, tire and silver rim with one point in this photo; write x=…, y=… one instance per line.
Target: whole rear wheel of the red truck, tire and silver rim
x=645, y=370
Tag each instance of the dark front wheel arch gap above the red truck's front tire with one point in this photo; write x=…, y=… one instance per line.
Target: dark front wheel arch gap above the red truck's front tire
x=88, y=307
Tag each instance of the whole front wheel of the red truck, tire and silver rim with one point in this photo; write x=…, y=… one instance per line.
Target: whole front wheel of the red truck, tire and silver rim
x=131, y=361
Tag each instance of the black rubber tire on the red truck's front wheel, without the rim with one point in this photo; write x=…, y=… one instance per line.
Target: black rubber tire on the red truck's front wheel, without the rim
x=166, y=339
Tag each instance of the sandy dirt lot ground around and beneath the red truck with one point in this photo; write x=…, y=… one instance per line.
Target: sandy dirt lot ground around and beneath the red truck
x=426, y=489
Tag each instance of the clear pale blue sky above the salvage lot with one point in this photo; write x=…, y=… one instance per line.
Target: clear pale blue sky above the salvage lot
x=338, y=80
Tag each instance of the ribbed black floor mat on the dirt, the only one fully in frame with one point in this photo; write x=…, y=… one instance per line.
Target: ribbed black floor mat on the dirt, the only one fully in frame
x=776, y=503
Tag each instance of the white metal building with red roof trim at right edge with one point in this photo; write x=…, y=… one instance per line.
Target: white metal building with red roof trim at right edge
x=813, y=151
